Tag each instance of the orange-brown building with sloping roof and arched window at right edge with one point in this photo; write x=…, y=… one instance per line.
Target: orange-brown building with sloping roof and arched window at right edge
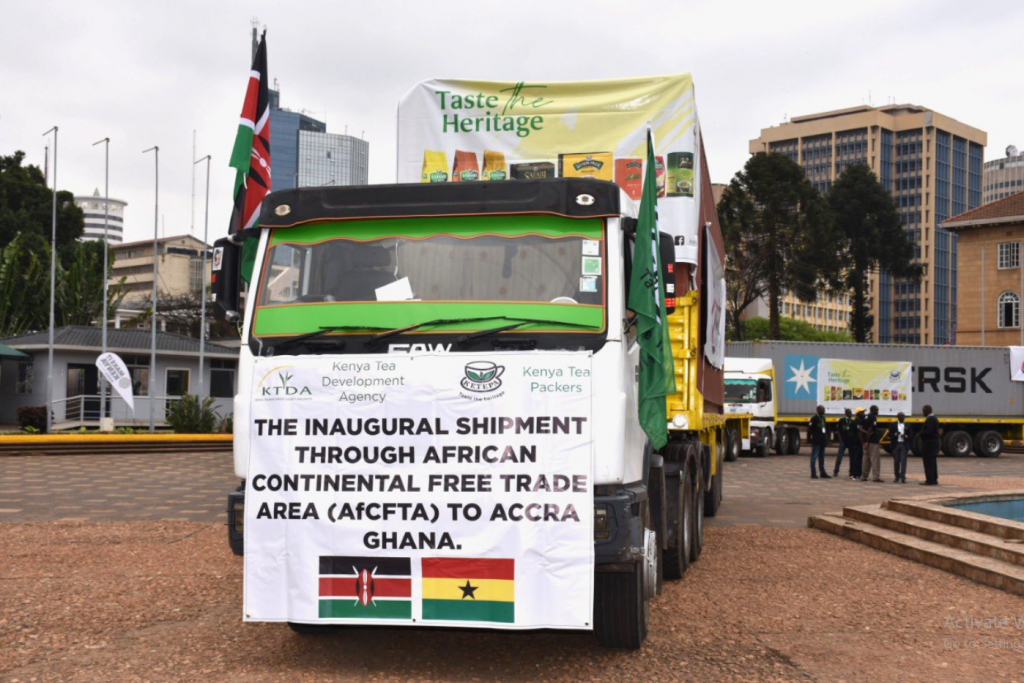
x=991, y=241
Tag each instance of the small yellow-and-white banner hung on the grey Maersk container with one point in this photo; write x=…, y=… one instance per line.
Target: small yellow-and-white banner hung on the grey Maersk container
x=855, y=385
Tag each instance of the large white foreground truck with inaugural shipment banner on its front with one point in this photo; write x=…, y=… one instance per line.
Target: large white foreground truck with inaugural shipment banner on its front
x=523, y=285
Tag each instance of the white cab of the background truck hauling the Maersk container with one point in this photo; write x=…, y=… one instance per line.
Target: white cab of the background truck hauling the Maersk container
x=750, y=389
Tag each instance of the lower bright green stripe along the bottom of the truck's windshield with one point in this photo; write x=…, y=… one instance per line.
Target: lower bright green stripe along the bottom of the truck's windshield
x=293, y=320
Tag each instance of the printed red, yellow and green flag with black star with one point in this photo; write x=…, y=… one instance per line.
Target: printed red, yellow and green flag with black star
x=470, y=590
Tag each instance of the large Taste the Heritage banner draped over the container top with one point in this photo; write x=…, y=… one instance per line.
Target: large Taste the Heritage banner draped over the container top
x=457, y=131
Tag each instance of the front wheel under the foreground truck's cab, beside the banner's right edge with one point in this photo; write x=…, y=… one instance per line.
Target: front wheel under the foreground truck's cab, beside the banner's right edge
x=622, y=601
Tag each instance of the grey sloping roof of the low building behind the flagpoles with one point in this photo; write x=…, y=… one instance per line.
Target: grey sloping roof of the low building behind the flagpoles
x=79, y=336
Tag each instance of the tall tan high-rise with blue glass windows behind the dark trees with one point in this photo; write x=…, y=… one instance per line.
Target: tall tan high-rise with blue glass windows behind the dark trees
x=932, y=165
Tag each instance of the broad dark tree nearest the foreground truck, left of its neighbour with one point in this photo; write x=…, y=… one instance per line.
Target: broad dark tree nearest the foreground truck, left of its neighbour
x=785, y=232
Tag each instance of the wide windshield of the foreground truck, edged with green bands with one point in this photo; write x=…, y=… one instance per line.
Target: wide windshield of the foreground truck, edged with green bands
x=393, y=273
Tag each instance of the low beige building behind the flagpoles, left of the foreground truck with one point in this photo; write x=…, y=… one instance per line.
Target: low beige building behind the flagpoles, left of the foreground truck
x=180, y=271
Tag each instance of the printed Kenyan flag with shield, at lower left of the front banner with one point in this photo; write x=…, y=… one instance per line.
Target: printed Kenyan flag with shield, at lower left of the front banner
x=366, y=588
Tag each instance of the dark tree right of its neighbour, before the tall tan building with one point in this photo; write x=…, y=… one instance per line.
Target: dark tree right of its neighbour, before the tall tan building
x=873, y=240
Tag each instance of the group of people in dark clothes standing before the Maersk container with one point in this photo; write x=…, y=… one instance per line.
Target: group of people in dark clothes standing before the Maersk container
x=862, y=437
